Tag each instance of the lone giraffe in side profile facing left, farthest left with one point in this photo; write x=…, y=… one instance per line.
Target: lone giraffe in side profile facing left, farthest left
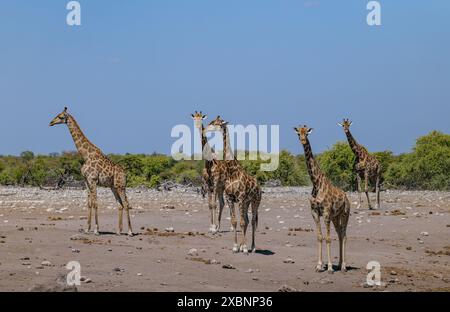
x=97, y=170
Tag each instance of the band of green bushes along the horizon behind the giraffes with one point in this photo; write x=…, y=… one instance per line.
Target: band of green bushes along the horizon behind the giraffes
x=426, y=167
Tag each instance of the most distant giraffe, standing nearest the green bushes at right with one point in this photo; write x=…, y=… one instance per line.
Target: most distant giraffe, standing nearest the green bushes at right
x=367, y=167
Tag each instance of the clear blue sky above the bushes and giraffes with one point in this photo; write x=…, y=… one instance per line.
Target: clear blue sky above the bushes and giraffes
x=136, y=68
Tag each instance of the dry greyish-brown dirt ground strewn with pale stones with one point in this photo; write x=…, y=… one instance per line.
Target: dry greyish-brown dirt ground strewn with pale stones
x=40, y=234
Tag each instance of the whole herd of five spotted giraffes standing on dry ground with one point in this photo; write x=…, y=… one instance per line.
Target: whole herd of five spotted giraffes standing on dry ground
x=226, y=181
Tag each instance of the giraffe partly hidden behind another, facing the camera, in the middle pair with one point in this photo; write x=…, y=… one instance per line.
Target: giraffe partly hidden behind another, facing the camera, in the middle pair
x=212, y=185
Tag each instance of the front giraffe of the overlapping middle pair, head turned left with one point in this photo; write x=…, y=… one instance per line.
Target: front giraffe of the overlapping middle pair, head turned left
x=240, y=188
